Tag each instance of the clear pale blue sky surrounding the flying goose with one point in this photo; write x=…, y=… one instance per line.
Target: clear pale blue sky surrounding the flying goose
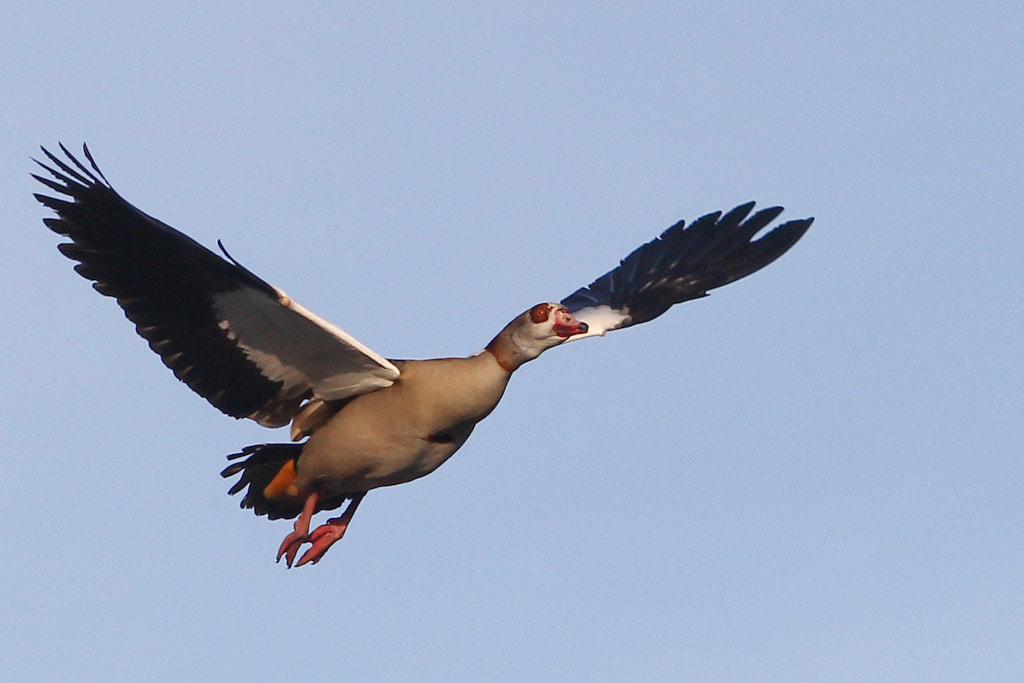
x=814, y=475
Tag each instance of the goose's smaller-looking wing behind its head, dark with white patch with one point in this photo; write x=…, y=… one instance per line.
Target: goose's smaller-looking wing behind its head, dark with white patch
x=686, y=263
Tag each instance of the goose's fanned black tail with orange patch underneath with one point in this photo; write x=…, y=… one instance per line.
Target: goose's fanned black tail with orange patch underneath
x=269, y=471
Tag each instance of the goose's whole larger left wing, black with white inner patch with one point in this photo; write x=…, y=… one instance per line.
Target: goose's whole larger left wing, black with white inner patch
x=236, y=340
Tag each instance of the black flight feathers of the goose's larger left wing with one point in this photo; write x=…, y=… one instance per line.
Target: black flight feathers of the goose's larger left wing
x=163, y=281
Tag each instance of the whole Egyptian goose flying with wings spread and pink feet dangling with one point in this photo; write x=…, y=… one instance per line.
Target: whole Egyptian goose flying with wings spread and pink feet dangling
x=253, y=353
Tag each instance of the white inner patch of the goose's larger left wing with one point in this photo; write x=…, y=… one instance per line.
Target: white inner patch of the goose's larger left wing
x=292, y=345
